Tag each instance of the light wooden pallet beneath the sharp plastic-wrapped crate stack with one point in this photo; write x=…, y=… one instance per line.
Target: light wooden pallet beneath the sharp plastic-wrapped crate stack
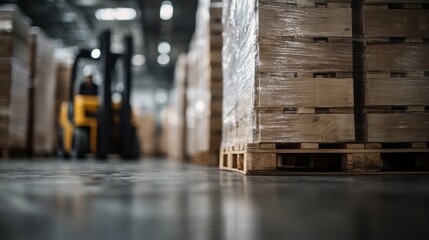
x=266, y=158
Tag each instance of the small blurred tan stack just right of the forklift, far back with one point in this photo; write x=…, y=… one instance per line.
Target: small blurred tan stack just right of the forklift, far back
x=146, y=127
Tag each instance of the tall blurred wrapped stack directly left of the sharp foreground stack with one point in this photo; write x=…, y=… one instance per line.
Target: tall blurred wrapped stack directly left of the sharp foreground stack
x=205, y=85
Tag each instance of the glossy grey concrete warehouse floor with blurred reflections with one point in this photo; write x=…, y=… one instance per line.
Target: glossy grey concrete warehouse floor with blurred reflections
x=167, y=200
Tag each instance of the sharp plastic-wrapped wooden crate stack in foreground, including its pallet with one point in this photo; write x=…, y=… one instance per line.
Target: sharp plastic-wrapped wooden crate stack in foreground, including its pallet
x=299, y=93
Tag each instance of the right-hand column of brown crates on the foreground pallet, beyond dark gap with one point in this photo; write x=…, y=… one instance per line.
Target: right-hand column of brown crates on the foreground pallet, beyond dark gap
x=393, y=74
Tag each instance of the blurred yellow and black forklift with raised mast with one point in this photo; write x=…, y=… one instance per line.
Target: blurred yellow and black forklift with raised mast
x=95, y=124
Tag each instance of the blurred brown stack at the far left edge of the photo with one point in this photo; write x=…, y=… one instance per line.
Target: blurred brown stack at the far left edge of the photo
x=14, y=73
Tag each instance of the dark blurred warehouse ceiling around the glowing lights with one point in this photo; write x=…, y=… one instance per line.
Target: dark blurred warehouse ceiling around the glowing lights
x=74, y=23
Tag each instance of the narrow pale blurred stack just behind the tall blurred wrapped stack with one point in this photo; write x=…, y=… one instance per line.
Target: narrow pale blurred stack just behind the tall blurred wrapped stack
x=177, y=113
